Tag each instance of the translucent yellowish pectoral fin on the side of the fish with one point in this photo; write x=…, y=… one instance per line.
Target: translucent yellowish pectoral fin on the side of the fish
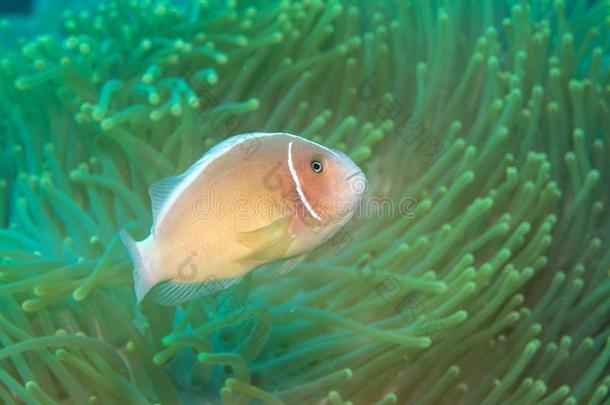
x=269, y=242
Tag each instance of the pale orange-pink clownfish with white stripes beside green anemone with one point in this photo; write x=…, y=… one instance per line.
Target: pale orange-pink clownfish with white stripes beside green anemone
x=253, y=200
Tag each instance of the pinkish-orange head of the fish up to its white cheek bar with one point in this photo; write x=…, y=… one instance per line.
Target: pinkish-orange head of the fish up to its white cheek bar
x=331, y=183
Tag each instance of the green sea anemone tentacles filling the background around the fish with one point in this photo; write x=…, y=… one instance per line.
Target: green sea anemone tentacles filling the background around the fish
x=482, y=275
